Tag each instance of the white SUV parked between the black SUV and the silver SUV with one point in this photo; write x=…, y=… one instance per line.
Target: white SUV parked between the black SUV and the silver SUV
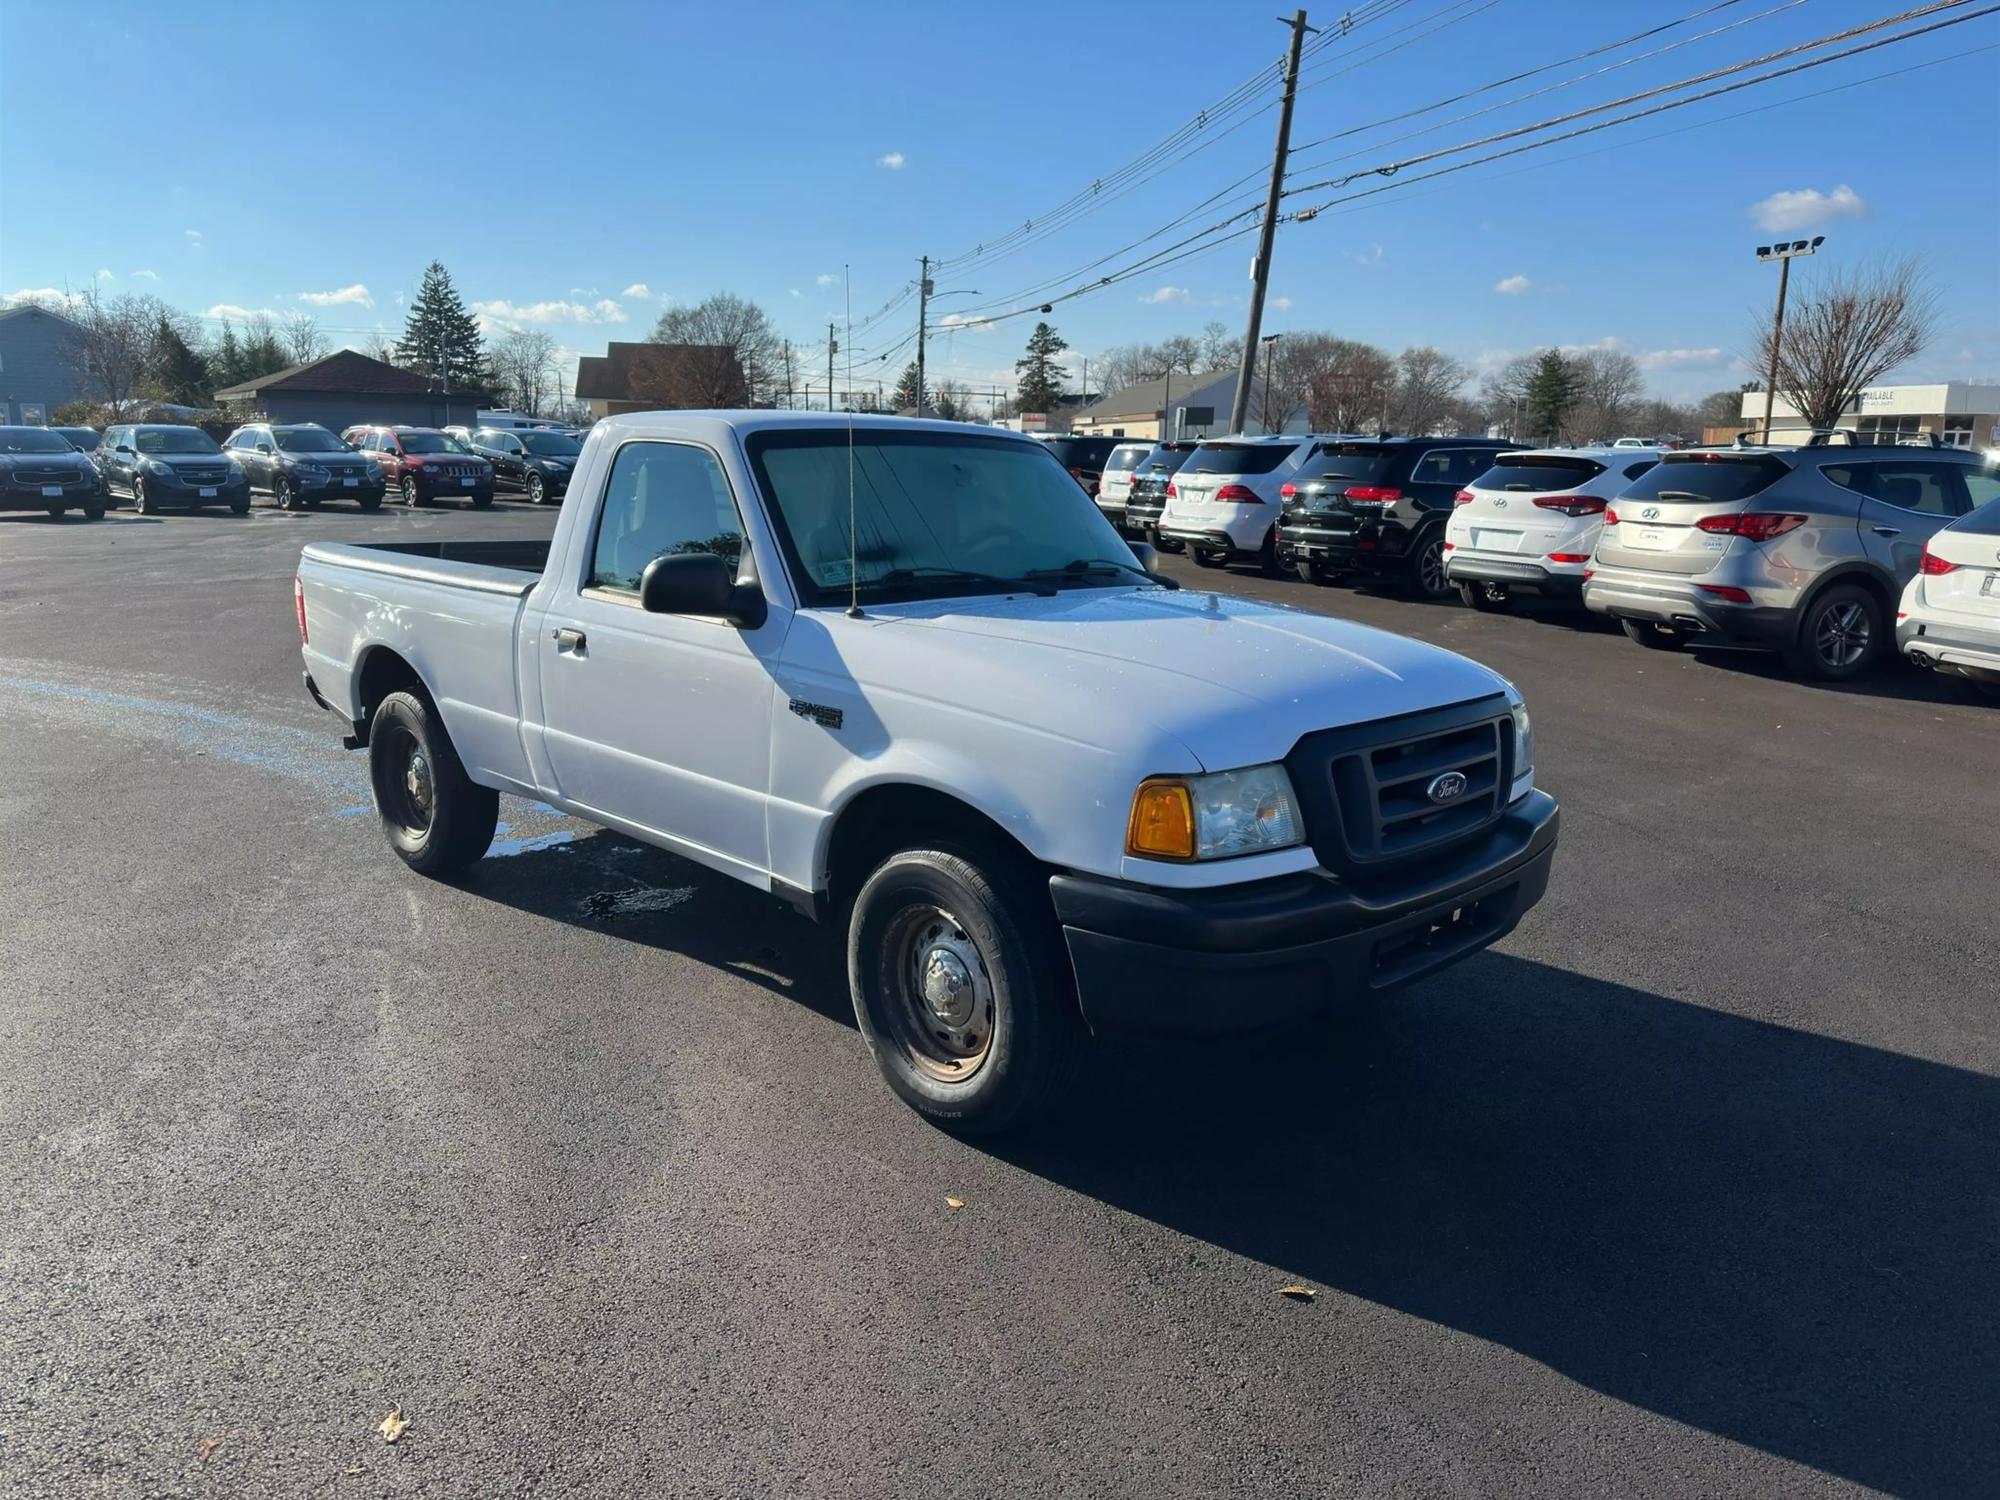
x=1533, y=521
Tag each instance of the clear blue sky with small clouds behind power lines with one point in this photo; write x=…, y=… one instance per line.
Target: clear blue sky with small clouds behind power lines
x=579, y=165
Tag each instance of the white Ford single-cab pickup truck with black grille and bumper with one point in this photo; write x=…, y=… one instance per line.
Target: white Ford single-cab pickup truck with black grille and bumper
x=907, y=677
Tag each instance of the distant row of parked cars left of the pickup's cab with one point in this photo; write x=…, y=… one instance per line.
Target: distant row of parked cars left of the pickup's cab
x=299, y=465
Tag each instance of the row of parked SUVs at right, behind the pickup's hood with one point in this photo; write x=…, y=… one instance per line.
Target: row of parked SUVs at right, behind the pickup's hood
x=1829, y=551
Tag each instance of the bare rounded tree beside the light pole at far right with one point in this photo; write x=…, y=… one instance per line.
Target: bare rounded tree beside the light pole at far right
x=1847, y=333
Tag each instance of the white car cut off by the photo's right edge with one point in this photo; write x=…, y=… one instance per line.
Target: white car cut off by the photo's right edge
x=1951, y=613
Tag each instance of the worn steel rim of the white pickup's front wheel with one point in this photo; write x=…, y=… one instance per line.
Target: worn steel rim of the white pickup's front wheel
x=941, y=995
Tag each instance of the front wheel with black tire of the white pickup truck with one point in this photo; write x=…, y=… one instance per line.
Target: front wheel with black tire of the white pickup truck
x=985, y=917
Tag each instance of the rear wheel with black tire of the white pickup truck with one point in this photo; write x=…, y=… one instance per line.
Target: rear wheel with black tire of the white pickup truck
x=435, y=817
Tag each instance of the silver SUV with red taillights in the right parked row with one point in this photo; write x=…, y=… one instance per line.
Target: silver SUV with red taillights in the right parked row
x=1801, y=551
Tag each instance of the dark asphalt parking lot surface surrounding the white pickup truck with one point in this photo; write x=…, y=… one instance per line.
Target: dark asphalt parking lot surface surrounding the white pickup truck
x=583, y=1167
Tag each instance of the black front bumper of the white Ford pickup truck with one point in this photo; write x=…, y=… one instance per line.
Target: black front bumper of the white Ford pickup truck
x=1273, y=953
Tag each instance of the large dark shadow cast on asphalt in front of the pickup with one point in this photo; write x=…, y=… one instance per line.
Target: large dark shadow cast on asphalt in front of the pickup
x=1769, y=1235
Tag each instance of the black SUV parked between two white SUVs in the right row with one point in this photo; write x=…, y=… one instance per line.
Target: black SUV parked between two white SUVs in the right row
x=1379, y=507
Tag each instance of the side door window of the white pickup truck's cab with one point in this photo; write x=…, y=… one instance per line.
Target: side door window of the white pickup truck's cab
x=663, y=499
